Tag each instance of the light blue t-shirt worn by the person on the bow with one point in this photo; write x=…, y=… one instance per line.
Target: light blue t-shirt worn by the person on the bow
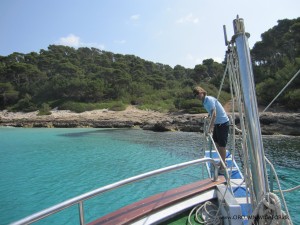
x=211, y=103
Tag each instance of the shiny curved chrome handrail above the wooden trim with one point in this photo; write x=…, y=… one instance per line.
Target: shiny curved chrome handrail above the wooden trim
x=81, y=198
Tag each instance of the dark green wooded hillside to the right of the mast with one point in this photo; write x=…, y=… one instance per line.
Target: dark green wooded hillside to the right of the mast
x=276, y=59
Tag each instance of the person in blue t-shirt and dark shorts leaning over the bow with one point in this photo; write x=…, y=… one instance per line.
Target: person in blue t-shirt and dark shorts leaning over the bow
x=219, y=123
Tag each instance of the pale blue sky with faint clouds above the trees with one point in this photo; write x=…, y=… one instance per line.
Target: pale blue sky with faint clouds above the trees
x=173, y=32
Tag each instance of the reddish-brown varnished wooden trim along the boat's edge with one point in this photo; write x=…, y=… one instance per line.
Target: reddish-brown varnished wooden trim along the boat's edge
x=140, y=209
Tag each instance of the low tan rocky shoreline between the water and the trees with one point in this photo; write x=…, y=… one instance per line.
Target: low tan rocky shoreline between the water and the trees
x=271, y=123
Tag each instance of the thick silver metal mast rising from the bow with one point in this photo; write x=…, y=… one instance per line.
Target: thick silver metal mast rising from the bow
x=254, y=137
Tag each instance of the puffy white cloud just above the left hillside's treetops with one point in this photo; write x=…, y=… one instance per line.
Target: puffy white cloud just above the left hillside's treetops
x=74, y=41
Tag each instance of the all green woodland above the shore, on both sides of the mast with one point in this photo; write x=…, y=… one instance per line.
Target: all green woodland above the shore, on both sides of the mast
x=87, y=78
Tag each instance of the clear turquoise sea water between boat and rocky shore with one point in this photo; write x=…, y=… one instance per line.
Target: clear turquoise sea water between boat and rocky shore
x=42, y=167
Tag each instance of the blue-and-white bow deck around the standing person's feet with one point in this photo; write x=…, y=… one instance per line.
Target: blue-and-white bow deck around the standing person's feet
x=237, y=183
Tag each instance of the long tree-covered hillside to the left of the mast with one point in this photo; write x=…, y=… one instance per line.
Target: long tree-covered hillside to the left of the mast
x=87, y=78
